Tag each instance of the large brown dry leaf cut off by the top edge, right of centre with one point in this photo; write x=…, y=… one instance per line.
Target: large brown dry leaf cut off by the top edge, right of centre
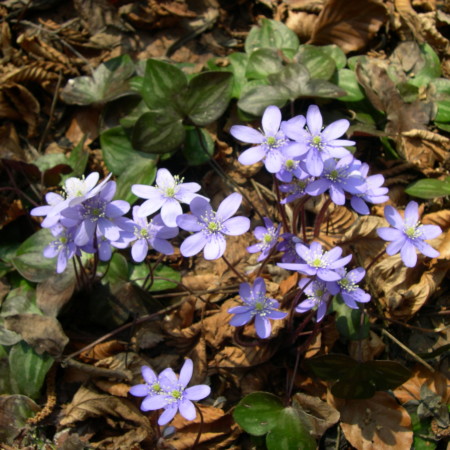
x=350, y=25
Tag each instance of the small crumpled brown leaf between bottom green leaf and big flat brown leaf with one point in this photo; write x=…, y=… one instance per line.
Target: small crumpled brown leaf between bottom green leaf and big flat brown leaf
x=318, y=414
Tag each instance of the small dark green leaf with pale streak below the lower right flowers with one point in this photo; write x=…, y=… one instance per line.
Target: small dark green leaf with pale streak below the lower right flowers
x=348, y=321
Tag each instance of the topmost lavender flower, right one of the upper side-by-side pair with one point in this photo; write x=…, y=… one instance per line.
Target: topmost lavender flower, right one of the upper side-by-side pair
x=319, y=144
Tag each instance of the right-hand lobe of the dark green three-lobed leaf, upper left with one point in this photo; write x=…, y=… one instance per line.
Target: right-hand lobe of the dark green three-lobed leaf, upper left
x=208, y=96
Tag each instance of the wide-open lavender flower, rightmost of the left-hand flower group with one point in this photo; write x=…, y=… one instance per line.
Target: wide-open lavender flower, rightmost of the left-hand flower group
x=211, y=227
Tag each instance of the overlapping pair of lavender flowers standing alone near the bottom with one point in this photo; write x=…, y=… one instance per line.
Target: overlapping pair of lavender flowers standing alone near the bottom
x=169, y=392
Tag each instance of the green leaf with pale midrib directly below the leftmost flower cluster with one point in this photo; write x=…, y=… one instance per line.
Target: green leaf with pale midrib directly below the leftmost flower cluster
x=29, y=260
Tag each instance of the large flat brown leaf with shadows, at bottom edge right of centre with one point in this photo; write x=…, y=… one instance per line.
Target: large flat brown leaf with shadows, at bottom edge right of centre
x=379, y=422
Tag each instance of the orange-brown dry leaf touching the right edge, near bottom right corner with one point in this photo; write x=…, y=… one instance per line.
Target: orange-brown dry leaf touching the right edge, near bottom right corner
x=435, y=381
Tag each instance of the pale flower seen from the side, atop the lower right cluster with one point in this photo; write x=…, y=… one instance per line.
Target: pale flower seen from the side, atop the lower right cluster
x=317, y=262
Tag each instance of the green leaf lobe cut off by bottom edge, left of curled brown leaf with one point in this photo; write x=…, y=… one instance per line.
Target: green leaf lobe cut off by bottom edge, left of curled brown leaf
x=289, y=432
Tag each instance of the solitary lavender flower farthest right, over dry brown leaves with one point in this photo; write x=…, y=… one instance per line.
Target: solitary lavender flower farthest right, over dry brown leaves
x=408, y=234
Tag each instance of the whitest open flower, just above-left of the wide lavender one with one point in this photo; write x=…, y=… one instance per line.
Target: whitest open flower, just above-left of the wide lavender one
x=167, y=195
